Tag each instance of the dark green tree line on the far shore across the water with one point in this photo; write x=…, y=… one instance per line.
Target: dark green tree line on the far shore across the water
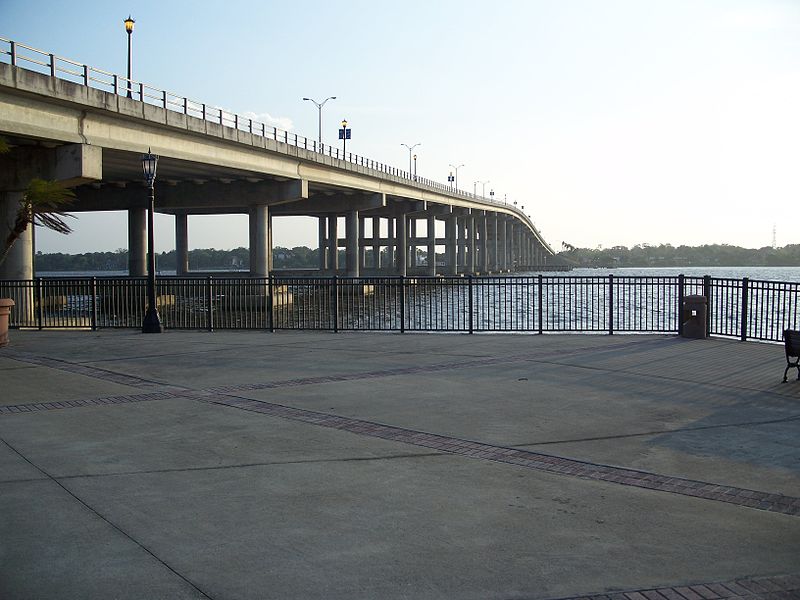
x=301, y=257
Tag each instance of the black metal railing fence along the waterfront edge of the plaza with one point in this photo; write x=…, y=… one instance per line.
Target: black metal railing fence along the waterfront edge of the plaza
x=742, y=308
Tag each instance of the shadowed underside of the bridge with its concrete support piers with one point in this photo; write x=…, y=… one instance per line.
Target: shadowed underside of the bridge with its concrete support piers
x=383, y=233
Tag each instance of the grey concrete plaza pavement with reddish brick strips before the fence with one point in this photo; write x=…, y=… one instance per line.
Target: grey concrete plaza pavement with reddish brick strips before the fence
x=316, y=465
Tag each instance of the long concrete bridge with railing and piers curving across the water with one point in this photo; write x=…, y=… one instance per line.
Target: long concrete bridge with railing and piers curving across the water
x=87, y=128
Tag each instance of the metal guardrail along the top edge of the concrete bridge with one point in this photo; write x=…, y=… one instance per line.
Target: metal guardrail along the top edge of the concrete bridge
x=22, y=55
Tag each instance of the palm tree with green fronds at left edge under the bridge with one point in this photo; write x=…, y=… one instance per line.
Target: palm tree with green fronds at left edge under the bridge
x=42, y=203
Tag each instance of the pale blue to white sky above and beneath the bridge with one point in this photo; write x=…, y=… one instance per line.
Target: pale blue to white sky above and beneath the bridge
x=614, y=122
